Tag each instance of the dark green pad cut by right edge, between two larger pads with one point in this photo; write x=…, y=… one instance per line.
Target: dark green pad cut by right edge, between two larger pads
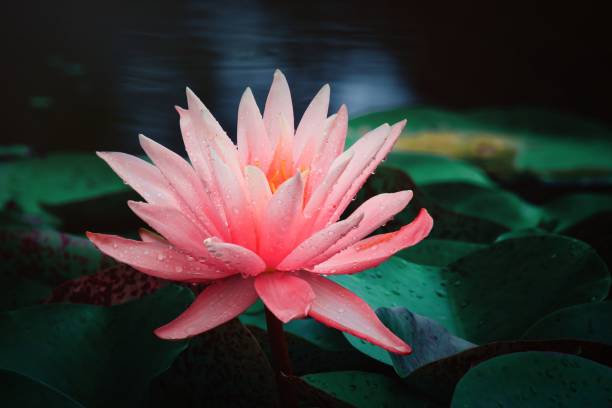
x=590, y=321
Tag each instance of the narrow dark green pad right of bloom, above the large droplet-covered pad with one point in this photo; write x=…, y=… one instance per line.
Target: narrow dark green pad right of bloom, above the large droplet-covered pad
x=489, y=203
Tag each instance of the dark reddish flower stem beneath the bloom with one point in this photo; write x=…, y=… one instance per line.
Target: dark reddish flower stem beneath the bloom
x=280, y=361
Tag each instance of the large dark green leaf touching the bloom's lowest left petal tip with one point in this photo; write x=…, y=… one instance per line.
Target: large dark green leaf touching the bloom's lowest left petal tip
x=97, y=356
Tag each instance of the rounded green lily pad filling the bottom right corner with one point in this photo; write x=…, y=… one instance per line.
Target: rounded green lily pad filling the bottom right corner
x=535, y=379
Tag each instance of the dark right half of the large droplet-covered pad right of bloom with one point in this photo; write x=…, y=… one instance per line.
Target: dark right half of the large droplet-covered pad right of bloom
x=504, y=289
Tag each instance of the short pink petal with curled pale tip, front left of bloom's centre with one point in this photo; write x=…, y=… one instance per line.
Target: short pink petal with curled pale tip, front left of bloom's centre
x=236, y=257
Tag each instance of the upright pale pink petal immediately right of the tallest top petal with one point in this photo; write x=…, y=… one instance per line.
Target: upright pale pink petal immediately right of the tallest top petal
x=310, y=130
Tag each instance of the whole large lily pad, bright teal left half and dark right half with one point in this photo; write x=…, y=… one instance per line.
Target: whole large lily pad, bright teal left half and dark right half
x=492, y=294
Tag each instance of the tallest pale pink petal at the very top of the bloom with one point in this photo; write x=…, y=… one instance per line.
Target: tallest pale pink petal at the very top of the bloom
x=278, y=106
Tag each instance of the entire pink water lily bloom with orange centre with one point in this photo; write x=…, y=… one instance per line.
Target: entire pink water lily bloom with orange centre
x=262, y=219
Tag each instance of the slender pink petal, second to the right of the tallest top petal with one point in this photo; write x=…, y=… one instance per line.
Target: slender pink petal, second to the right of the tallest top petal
x=331, y=147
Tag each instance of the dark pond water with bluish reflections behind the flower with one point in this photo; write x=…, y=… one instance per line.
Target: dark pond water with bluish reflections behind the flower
x=91, y=75
